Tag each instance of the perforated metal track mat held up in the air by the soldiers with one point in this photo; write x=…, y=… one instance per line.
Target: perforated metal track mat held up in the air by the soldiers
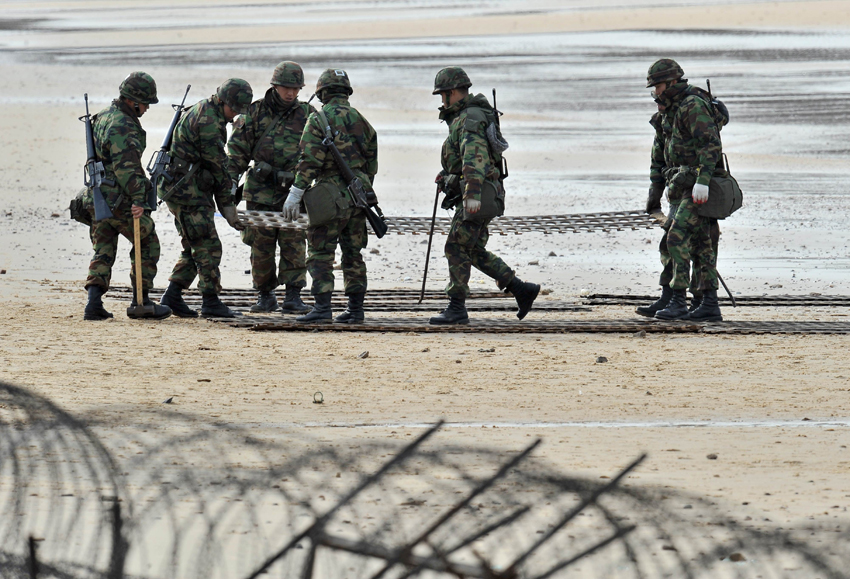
x=505, y=225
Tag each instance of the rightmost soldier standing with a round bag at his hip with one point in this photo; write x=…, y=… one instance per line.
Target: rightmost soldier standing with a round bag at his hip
x=685, y=153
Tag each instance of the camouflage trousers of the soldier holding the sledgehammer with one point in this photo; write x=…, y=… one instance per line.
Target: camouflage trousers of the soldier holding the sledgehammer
x=104, y=237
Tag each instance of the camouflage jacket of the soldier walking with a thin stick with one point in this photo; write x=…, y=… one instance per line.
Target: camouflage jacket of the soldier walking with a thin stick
x=466, y=151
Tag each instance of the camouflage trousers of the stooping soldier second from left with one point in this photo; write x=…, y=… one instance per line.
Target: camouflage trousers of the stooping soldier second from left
x=201, y=253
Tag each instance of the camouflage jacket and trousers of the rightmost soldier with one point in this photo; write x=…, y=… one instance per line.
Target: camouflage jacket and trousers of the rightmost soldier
x=687, y=135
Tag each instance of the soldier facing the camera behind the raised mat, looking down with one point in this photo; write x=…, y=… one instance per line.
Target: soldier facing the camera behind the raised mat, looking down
x=269, y=134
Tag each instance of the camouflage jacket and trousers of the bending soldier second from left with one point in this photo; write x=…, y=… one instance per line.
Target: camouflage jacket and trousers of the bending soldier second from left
x=198, y=141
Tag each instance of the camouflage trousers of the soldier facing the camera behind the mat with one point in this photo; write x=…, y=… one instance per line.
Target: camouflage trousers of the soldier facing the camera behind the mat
x=264, y=242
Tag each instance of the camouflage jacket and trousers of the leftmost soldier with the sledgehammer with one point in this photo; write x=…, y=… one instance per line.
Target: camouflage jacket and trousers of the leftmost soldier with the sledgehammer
x=120, y=141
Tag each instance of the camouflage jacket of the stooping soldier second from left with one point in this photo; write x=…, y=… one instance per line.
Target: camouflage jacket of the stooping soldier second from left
x=199, y=137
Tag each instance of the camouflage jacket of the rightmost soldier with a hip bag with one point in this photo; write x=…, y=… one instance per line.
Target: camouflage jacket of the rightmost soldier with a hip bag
x=686, y=135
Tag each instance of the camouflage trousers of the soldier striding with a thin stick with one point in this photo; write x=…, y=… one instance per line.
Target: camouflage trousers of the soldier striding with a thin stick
x=465, y=248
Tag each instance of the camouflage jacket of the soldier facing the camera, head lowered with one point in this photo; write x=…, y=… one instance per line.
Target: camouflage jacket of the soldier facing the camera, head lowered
x=279, y=148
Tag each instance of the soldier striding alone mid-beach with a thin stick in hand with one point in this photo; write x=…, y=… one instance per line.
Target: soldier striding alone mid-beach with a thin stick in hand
x=470, y=163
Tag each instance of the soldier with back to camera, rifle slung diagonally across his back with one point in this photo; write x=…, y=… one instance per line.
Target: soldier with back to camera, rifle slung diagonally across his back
x=357, y=142
